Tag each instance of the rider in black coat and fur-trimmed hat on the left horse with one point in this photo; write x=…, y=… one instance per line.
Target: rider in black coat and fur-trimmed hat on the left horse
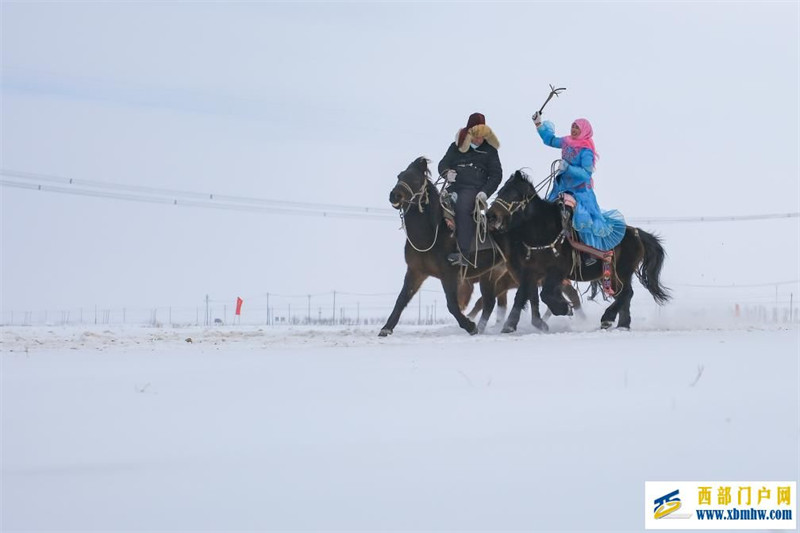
x=473, y=171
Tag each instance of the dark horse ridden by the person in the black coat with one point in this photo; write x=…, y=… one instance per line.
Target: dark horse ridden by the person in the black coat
x=428, y=243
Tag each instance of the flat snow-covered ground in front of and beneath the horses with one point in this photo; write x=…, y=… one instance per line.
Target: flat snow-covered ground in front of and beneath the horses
x=429, y=429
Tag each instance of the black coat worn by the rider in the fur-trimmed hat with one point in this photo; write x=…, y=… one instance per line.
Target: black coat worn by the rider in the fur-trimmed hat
x=477, y=168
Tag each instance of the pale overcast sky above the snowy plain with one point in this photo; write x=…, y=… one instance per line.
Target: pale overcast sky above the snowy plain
x=694, y=108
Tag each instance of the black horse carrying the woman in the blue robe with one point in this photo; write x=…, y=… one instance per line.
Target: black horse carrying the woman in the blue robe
x=540, y=253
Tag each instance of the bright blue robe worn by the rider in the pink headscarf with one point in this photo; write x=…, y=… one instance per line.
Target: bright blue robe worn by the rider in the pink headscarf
x=600, y=229
